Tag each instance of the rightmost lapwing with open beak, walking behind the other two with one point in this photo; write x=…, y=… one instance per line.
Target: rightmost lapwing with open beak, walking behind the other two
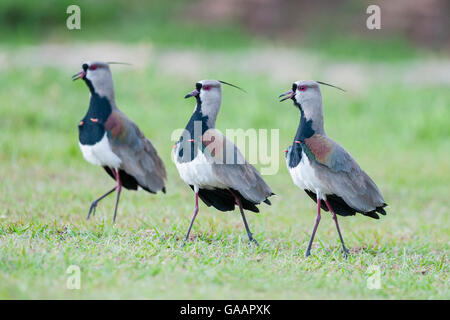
x=324, y=169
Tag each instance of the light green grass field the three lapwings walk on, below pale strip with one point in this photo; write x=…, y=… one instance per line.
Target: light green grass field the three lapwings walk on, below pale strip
x=398, y=134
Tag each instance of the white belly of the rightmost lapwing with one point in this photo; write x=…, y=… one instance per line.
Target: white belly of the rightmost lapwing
x=304, y=177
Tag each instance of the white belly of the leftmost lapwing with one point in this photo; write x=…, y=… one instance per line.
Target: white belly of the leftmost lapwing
x=101, y=154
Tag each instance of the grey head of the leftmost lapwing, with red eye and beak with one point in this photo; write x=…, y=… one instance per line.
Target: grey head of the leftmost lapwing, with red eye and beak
x=98, y=78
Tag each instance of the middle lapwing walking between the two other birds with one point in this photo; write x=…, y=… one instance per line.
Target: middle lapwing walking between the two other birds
x=212, y=165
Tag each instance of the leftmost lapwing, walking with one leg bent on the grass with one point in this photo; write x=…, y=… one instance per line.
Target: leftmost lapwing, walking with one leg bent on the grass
x=109, y=139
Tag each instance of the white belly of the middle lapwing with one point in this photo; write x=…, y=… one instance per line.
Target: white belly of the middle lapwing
x=198, y=172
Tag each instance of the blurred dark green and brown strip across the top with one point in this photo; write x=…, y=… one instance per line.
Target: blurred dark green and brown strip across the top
x=334, y=28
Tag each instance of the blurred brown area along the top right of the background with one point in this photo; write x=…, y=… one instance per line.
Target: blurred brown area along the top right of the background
x=424, y=22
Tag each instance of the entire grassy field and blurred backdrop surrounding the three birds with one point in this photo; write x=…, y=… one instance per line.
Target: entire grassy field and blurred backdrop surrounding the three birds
x=394, y=119
